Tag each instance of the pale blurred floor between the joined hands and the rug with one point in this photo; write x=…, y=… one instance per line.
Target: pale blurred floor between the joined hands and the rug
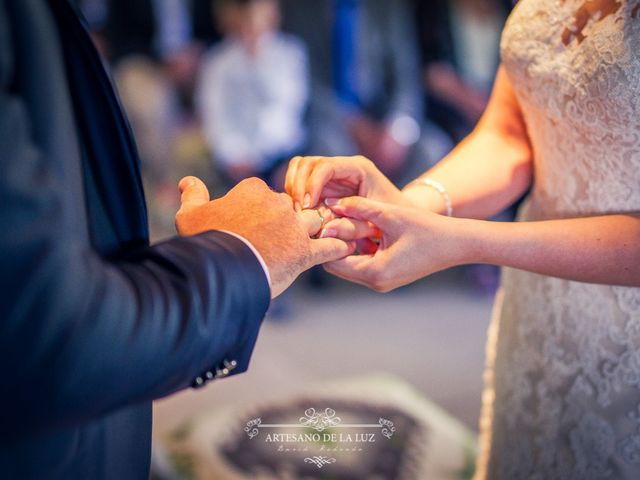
x=431, y=333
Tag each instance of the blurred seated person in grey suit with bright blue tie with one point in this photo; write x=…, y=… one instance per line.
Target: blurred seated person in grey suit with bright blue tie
x=366, y=96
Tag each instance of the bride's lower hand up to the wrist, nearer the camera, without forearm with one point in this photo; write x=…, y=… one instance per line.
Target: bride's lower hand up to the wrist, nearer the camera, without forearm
x=412, y=243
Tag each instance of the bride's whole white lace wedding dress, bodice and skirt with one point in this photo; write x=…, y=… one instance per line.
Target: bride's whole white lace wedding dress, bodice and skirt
x=562, y=399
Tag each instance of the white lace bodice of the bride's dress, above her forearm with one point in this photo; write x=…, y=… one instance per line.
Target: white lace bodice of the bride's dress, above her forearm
x=581, y=103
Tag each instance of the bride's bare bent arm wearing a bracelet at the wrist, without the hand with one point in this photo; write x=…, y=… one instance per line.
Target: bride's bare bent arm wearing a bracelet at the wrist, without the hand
x=490, y=169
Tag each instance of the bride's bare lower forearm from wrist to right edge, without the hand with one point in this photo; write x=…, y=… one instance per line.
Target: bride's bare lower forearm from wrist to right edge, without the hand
x=604, y=249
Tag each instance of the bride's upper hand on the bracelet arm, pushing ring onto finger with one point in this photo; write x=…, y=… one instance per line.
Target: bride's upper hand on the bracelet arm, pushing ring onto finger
x=312, y=179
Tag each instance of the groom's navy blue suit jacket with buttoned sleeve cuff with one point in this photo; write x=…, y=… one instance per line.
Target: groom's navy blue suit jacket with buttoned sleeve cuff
x=94, y=322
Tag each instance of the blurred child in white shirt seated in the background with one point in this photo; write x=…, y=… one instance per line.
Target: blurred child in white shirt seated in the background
x=252, y=92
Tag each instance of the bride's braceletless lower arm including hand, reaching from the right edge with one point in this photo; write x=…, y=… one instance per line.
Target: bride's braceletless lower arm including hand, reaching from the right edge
x=603, y=249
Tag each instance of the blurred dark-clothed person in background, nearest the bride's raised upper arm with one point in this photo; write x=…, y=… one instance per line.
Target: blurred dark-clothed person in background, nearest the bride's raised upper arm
x=460, y=42
